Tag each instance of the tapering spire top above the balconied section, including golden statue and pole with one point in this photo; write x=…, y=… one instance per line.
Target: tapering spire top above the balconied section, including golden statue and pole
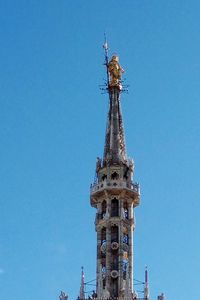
x=114, y=149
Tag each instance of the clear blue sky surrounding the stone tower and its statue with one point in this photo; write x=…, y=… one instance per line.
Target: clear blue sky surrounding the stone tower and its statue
x=52, y=125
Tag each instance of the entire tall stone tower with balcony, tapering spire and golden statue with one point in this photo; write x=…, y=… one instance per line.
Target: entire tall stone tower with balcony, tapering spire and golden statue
x=114, y=195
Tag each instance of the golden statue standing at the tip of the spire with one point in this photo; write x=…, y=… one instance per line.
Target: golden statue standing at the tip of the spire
x=115, y=71
